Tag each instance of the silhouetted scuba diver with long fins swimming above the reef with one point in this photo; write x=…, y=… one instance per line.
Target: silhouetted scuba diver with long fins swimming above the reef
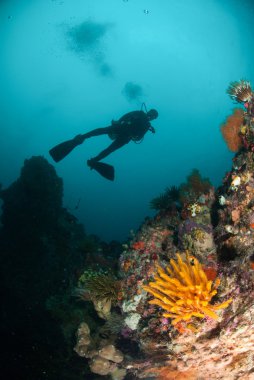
x=130, y=127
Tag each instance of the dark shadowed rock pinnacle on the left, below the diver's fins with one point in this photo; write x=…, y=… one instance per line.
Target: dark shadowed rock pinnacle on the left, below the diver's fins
x=39, y=258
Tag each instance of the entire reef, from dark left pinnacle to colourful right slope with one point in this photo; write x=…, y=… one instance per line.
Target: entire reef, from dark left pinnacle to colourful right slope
x=179, y=302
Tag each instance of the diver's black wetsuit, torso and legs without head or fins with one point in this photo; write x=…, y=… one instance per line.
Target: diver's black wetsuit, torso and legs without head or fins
x=131, y=126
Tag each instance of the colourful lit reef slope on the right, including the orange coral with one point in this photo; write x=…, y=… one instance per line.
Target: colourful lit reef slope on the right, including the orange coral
x=193, y=318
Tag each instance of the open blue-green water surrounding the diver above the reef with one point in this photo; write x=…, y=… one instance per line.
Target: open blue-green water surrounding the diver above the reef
x=69, y=66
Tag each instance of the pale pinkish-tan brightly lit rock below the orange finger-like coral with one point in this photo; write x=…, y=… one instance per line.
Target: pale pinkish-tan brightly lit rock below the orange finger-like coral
x=218, y=354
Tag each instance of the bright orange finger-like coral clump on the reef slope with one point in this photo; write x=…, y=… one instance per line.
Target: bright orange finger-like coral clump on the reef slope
x=185, y=292
